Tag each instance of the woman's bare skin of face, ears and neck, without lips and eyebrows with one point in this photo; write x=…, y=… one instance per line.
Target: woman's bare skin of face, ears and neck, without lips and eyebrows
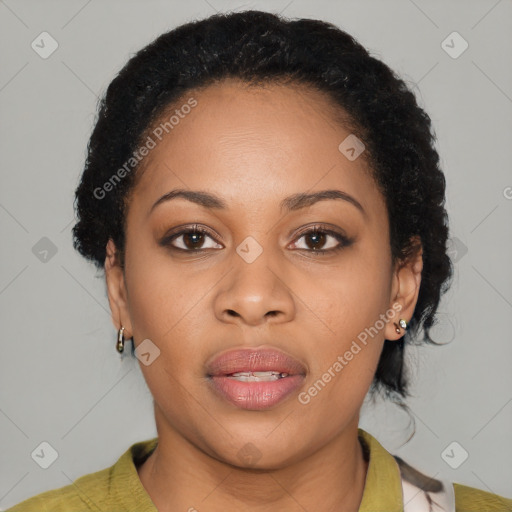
x=253, y=147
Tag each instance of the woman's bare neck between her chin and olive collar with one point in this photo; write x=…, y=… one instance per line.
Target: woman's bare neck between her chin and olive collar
x=180, y=476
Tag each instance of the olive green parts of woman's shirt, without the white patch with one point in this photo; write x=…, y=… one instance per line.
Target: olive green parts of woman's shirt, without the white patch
x=119, y=489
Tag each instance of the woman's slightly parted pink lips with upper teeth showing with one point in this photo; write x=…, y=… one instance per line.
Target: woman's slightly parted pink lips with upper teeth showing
x=255, y=379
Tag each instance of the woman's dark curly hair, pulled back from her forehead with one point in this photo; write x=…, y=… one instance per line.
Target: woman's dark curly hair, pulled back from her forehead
x=259, y=48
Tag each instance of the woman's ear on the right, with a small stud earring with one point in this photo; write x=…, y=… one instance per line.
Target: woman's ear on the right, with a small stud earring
x=405, y=289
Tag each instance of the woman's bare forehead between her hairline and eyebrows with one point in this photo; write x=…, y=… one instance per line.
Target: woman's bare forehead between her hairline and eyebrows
x=249, y=143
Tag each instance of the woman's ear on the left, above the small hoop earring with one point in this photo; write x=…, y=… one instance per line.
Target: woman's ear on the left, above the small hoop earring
x=116, y=288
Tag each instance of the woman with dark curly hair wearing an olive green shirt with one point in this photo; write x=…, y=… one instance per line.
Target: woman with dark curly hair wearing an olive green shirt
x=266, y=201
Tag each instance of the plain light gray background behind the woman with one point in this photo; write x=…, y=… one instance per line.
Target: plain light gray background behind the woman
x=61, y=380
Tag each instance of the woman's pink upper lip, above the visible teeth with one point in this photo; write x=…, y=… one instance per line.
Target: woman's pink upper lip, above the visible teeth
x=254, y=360
